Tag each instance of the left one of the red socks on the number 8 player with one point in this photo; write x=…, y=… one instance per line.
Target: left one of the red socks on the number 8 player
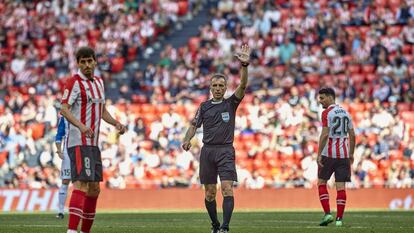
x=76, y=209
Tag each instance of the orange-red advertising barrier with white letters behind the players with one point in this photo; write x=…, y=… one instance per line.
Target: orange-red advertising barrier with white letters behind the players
x=110, y=199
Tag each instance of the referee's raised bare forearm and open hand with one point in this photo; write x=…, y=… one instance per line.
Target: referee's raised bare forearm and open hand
x=244, y=58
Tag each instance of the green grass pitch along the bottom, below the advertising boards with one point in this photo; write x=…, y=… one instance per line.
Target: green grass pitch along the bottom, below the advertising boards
x=242, y=222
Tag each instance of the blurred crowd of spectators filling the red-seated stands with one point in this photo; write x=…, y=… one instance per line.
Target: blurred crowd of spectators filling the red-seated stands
x=362, y=48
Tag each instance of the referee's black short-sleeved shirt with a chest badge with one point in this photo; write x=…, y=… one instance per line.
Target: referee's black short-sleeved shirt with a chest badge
x=218, y=120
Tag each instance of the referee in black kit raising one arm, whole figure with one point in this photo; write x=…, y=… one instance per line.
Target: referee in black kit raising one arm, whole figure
x=217, y=116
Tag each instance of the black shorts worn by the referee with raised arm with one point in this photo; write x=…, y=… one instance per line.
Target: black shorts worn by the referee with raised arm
x=217, y=160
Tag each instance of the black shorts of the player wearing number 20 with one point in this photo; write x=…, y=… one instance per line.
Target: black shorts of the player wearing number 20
x=341, y=167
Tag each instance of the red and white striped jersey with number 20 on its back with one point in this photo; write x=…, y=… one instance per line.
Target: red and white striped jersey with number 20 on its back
x=339, y=122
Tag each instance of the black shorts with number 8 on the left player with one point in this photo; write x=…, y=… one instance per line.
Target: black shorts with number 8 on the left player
x=85, y=163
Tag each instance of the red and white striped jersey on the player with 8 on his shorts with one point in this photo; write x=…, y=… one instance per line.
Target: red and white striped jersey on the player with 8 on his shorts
x=87, y=99
